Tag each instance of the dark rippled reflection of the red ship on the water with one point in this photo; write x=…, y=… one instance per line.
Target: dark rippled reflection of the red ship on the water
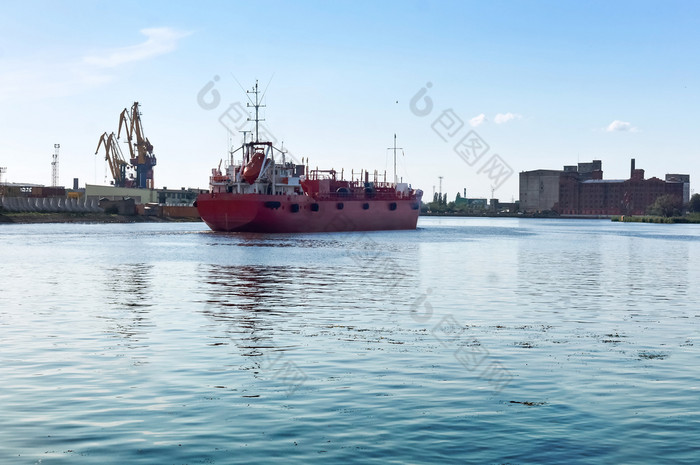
x=262, y=308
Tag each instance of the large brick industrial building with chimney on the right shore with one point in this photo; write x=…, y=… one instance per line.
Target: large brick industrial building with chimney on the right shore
x=581, y=190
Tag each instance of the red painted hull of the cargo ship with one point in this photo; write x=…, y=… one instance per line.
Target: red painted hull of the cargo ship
x=300, y=213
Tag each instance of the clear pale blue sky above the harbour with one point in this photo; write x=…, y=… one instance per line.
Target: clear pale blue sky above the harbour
x=541, y=83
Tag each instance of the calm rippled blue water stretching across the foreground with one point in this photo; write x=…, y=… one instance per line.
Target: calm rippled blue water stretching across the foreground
x=466, y=341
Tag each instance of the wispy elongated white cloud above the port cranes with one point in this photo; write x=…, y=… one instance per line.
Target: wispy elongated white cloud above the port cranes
x=159, y=40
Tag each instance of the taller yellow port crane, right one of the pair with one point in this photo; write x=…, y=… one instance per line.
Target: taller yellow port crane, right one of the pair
x=141, y=149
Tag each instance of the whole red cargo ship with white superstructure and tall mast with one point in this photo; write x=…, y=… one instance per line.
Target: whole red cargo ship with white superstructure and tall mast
x=266, y=193
